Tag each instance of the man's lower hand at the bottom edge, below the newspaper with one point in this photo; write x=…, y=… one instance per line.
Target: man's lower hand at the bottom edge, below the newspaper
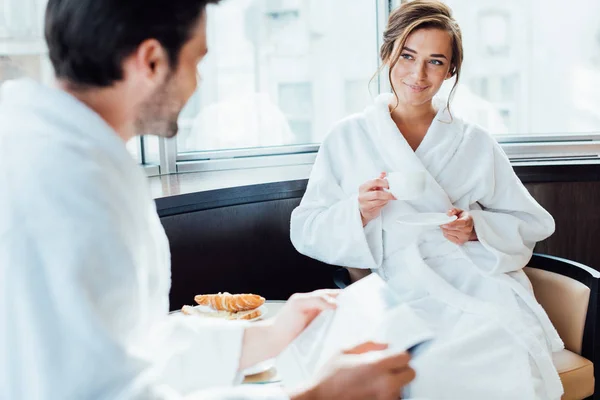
x=362, y=373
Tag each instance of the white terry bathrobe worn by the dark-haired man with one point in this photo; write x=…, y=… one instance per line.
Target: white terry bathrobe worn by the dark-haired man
x=85, y=269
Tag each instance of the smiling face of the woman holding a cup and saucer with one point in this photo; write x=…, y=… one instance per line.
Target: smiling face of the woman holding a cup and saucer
x=423, y=66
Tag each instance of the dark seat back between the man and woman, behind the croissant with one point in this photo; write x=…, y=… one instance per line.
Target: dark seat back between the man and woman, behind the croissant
x=239, y=249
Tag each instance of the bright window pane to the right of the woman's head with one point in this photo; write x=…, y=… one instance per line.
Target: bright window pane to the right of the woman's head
x=524, y=72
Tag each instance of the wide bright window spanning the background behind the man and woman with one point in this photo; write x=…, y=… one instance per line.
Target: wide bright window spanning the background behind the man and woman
x=280, y=73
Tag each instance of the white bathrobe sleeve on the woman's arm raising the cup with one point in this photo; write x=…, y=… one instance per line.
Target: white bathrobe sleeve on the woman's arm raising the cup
x=327, y=224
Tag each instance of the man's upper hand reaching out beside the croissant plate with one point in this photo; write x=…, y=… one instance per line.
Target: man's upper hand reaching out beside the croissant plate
x=266, y=339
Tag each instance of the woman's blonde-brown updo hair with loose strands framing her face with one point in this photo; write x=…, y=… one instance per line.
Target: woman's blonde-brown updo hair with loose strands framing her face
x=414, y=15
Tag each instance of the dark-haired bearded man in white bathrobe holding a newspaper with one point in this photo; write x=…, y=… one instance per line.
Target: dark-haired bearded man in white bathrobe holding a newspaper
x=84, y=259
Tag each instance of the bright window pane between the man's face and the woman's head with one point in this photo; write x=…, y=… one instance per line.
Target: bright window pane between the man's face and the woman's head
x=280, y=72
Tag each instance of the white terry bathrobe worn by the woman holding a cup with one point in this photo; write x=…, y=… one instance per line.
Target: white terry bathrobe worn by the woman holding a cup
x=494, y=341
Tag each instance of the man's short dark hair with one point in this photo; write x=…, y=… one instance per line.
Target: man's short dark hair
x=88, y=40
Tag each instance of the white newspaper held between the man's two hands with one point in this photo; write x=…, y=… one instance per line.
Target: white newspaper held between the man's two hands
x=367, y=310
